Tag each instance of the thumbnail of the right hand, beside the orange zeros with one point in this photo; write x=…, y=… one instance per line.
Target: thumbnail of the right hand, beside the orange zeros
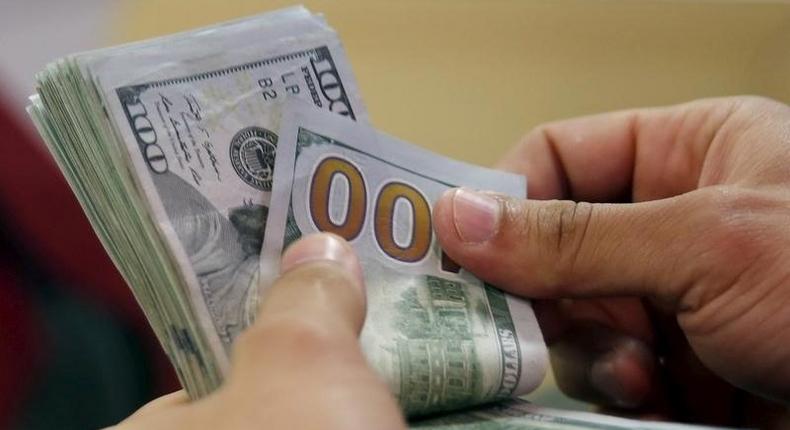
x=475, y=214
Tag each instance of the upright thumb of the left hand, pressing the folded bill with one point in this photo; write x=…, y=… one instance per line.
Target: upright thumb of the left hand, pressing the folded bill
x=317, y=304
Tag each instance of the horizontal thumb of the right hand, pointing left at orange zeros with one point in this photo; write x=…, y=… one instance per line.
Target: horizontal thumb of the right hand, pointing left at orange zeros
x=552, y=249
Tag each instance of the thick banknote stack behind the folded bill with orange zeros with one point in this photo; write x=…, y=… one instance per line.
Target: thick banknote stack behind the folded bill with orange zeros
x=169, y=145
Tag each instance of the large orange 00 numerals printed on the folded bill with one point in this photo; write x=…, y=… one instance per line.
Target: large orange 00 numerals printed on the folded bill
x=356, y=208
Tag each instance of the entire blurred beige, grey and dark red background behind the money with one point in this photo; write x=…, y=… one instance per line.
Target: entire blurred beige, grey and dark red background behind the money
x=461, y=77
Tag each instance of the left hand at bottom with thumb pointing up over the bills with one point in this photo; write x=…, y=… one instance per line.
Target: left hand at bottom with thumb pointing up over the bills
x=300, y=365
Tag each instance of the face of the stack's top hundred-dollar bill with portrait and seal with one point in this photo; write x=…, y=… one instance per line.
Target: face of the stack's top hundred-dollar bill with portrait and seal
x=202, y=140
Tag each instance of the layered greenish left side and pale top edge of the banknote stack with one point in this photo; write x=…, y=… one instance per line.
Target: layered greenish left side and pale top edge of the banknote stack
x=70, y=111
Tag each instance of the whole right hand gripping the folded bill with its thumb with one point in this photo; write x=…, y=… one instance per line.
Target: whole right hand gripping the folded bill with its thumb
x=670, y=252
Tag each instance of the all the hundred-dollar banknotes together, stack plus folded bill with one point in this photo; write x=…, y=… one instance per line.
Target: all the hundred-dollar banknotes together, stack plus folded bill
x=171, y=145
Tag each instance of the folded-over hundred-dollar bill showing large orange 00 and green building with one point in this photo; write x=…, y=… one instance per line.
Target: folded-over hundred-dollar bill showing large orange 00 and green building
x=440, y=337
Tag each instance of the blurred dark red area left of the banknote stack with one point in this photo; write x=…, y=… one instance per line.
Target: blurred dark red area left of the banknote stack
x=47, y=220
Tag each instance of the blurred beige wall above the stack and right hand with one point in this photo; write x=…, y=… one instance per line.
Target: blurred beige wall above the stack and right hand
x=467, y=78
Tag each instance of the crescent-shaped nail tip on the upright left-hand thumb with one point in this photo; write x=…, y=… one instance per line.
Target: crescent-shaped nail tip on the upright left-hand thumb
x=322, y=247
